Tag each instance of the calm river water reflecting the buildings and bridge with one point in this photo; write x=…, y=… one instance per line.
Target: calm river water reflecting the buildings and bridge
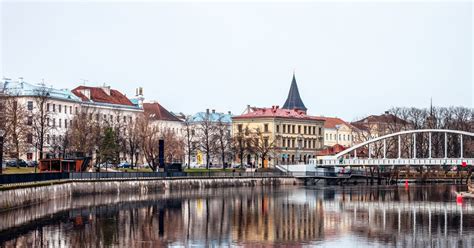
x=358, y=216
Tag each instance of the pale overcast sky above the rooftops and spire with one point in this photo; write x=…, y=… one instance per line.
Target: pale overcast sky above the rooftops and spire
x=351, y=59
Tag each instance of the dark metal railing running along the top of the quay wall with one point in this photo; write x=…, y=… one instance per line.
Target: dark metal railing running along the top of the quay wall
x=43, y=177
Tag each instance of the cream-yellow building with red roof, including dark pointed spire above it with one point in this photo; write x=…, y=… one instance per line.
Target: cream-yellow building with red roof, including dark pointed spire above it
x=270, y=136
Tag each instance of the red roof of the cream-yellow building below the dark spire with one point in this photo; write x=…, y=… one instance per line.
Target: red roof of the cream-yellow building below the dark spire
x=276, y=112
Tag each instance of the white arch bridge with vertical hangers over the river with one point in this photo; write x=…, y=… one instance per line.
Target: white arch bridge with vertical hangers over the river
x=341, y=160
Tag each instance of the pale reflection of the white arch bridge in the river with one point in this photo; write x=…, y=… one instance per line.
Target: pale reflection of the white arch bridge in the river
x=406, y=212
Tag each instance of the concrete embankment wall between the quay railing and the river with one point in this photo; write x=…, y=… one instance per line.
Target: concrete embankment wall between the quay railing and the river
x=33, y=194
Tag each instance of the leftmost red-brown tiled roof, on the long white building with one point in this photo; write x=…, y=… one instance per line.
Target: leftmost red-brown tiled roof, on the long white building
x=98, y=94
